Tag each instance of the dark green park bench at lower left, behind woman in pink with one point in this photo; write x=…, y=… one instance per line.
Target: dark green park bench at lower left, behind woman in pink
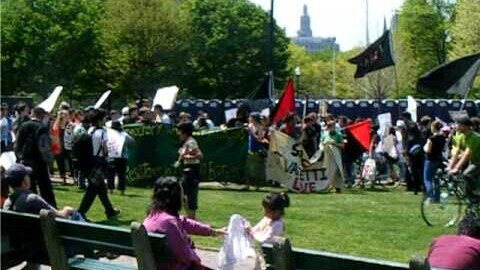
x=63, y=237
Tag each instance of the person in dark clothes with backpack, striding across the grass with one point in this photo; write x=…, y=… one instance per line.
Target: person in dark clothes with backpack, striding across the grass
x=97, y=164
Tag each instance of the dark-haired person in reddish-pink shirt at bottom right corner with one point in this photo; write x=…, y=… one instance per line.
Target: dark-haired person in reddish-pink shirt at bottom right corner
x=460, y=251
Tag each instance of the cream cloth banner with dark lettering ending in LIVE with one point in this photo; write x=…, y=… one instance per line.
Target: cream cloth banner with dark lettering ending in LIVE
x=287, y=164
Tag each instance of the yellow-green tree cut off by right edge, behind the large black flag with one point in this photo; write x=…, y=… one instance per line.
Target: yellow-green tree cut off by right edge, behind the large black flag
x=466, y=34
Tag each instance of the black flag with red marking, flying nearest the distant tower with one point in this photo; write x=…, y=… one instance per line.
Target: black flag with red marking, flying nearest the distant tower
x=377, y=56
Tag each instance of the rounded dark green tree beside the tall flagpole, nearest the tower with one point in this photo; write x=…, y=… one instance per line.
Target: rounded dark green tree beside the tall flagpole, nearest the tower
x=229, y=48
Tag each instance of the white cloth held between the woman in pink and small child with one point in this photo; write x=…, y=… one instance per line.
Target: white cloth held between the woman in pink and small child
x=237, y=245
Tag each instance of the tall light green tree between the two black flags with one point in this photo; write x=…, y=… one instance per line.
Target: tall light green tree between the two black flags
x=421, y=41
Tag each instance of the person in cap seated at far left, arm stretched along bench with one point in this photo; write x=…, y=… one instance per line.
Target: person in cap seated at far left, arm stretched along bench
x=23, y=199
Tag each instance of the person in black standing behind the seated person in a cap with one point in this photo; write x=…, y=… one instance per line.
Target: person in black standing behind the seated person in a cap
x=32, y=149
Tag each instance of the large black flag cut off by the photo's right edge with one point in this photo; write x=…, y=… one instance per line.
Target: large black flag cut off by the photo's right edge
x=455, y=77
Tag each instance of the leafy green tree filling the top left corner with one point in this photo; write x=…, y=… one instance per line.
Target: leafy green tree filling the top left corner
x=47, y=43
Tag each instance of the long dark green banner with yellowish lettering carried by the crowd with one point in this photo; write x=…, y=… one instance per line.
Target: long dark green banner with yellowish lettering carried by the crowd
x=155, y=151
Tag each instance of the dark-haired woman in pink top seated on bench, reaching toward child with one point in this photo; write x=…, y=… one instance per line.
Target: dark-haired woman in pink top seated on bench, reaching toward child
x=164, y=218
